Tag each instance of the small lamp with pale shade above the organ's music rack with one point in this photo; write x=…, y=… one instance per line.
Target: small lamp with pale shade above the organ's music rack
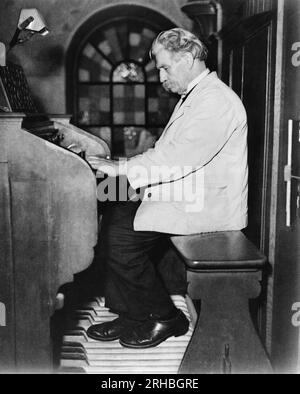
x=30, y=23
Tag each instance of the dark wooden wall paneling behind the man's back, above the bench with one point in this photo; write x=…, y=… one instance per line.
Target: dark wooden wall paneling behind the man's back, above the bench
x=248, y=57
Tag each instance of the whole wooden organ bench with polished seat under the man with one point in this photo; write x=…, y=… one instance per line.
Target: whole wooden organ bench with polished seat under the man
x=224, y=271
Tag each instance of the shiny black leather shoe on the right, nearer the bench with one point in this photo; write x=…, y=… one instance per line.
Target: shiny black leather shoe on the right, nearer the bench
x=152, y=332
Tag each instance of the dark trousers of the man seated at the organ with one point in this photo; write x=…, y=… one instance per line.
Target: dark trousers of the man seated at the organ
x=141, y=267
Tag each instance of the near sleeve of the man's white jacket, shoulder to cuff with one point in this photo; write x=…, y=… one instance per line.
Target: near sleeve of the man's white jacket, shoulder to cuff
x=205, y=129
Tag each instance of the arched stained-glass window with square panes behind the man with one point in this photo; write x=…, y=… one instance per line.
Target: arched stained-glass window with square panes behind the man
x=117, y=89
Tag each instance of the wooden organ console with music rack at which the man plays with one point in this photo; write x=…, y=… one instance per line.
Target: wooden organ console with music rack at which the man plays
x=48, y=219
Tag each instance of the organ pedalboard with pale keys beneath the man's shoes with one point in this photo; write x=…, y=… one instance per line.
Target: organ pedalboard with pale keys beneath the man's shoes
x=82, y=354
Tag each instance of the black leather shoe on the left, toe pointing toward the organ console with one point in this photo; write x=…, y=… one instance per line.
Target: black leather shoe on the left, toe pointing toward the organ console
x=109, y=331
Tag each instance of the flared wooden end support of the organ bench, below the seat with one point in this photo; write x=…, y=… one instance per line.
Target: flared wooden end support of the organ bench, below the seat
x=225, y=321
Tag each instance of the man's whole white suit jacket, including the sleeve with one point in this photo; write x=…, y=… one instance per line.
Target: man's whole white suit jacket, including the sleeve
x=196, y=174
